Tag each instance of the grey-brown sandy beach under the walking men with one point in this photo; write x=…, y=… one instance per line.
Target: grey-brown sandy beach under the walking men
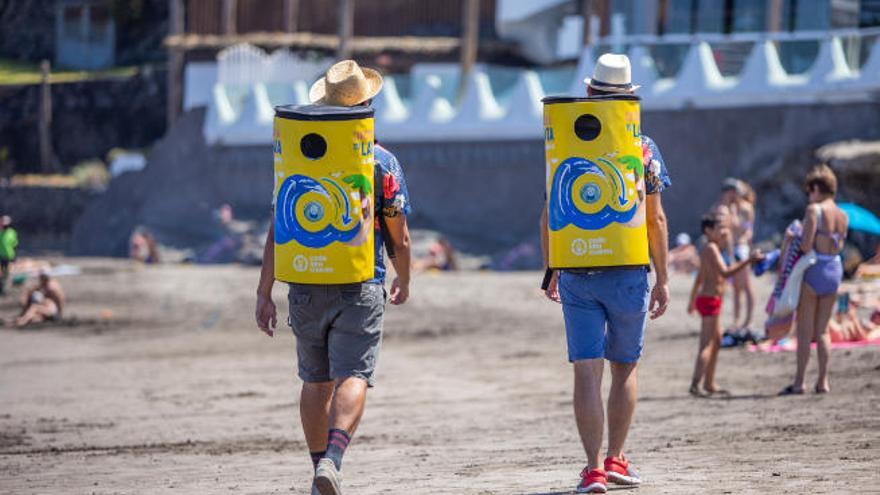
x=159, y=382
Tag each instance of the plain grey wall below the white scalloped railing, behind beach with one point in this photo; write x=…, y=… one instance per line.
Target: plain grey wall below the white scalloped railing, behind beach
x=487, y=197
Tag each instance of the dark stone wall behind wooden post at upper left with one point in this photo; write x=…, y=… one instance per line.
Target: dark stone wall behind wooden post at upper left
x=88, y=118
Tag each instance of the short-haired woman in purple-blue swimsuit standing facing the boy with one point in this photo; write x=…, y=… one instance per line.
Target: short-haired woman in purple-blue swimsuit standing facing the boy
x=825, y=228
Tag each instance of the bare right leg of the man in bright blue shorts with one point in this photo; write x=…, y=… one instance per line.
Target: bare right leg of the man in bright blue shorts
x=621, y=405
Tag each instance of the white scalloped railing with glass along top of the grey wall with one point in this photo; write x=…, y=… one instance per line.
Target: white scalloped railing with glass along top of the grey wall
x=242, y=113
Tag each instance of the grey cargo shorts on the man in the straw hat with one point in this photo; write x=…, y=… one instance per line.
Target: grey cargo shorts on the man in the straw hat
x=338, y=329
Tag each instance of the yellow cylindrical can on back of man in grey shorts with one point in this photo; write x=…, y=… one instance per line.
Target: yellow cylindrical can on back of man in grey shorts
x=324, y=195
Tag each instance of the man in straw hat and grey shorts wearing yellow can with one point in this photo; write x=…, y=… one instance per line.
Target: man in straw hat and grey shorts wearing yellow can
x=335, y=204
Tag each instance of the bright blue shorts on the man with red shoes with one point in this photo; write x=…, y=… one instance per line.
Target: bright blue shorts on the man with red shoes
x=605, y=313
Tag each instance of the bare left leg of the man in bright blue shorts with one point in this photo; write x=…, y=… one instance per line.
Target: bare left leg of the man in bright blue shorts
x=588, y=410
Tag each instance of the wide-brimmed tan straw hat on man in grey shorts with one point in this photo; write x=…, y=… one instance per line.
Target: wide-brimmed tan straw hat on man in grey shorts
x=346, y=84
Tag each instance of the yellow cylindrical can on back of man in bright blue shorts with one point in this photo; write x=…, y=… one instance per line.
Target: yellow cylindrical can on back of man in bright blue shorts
x=595, y=182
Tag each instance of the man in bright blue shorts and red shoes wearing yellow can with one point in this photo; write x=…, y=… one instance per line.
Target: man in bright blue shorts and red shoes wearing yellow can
x=602, y=220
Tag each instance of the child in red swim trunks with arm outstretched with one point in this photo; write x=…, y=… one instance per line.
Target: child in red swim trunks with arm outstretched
x=706, y=300
